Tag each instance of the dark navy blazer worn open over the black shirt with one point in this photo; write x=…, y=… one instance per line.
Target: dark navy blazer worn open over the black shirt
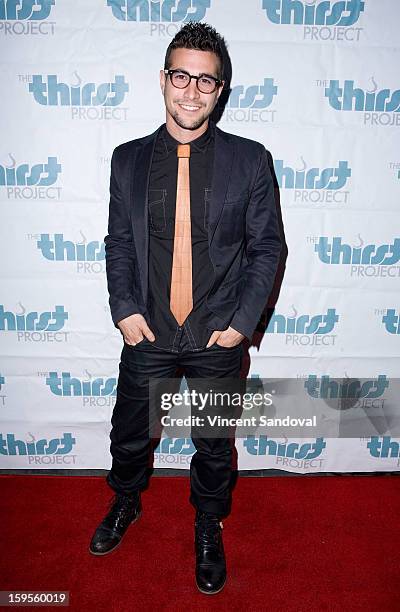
x=243, y=233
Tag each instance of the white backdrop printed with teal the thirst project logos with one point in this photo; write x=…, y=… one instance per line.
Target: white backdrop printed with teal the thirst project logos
x=318, y=84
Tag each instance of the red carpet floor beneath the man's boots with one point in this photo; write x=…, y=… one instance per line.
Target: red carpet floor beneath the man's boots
x=292, y=545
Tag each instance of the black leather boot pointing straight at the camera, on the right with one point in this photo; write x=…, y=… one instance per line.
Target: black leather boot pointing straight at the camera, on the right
x=210, y=556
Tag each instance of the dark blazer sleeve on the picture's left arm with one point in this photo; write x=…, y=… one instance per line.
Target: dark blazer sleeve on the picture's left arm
x=119, y=251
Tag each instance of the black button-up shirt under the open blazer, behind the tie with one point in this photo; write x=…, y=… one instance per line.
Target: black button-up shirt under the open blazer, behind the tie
x=193, y=334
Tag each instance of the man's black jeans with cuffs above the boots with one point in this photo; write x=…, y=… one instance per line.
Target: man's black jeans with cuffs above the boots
x=211, y=464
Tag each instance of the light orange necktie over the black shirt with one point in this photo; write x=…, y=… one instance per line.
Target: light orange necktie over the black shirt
x=181, y=300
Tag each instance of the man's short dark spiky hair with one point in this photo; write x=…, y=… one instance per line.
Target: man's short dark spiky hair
x=199, y=36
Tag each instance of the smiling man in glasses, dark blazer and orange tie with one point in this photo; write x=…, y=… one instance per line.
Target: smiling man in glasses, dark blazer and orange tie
x=191, y=254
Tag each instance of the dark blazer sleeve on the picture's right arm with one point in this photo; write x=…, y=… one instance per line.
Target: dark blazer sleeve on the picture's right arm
x=263, y=247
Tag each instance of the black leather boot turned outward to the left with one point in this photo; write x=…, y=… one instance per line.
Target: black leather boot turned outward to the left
x=125, y=510
